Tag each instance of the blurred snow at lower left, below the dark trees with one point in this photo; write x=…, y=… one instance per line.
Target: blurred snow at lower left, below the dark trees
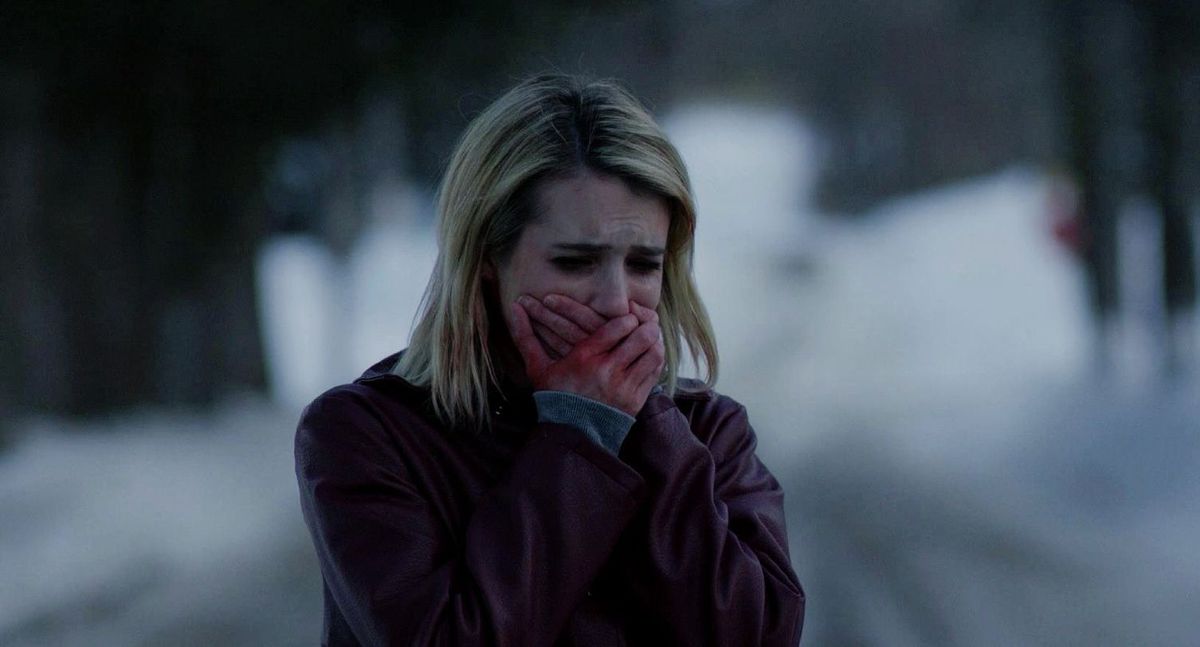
x=157, y=528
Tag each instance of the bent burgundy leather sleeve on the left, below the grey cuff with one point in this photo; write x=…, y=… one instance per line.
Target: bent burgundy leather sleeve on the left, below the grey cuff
x=531, y=548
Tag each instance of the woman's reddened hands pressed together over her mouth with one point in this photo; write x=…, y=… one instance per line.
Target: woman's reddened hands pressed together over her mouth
x=615, y=362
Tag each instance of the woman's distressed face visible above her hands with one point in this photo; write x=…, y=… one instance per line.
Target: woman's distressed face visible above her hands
x=593, y=241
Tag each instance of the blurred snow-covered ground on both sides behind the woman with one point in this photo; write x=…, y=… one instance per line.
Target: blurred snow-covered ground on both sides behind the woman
x=919, y=379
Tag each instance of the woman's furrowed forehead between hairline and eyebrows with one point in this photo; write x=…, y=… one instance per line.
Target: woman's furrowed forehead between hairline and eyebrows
x=595, y=207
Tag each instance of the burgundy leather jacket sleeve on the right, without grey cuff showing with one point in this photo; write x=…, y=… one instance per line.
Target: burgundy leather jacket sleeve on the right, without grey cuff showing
x=709, y=552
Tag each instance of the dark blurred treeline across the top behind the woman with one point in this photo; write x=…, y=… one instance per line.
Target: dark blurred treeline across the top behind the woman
x=136, y=140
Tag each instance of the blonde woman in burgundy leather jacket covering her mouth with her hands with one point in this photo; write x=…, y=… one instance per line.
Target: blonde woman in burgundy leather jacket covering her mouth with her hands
x=531, y=470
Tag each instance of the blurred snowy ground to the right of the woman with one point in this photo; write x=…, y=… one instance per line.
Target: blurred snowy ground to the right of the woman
x=920, y=384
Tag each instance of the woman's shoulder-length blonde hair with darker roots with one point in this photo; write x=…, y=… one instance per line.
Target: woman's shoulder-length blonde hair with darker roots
x=547, y=128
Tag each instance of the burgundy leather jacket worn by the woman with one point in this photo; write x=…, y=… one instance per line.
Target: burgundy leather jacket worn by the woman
x=535, y=535
